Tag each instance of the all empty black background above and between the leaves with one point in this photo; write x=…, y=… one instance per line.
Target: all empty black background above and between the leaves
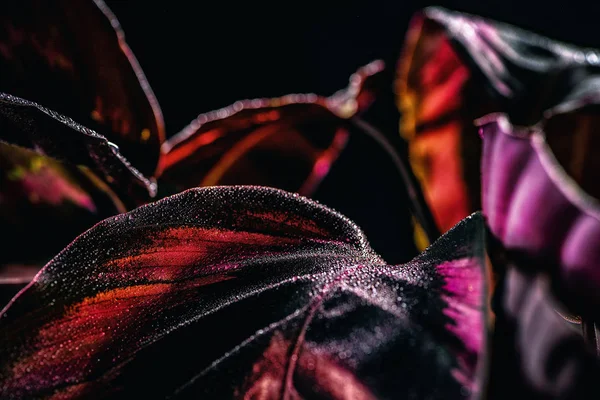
x=200, y=56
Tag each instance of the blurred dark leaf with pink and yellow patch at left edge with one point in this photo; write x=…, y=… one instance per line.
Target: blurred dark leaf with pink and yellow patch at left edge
x=44, y=205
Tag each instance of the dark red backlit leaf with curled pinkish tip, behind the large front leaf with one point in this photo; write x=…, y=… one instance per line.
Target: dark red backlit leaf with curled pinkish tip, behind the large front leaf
x=288, y=142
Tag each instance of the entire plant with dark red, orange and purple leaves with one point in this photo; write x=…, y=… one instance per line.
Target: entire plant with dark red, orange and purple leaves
x=191, y=273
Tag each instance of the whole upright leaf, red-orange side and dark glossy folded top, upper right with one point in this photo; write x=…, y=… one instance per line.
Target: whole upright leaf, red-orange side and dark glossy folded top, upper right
x=457, y=67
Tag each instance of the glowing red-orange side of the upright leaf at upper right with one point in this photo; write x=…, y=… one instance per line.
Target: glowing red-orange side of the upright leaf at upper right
x=439, y=97
